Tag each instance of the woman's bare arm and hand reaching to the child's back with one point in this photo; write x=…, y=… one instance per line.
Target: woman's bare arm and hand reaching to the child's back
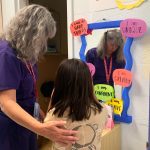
x=53, y=130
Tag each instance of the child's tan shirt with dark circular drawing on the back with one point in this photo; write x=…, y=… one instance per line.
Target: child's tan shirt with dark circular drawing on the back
x=89, y=130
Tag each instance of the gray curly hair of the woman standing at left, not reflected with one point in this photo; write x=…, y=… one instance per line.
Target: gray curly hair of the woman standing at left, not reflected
x=29, y=31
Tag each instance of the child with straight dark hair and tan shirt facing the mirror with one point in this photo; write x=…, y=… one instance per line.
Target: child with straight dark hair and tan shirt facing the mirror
x=73, y=100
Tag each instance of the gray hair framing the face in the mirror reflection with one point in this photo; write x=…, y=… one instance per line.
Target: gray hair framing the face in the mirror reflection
x=115, y=36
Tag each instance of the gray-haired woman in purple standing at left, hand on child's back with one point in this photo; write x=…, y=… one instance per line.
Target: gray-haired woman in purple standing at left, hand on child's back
x=21, y=46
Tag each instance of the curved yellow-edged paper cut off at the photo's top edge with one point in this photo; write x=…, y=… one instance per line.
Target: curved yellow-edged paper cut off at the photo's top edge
x=128, y=4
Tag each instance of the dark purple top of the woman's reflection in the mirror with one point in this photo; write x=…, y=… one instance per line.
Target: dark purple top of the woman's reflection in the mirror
x=100, y=76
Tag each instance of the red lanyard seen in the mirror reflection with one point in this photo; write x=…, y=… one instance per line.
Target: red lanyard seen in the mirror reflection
x=108, y=73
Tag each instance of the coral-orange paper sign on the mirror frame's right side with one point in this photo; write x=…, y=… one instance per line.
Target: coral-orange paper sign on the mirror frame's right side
x=122, y=77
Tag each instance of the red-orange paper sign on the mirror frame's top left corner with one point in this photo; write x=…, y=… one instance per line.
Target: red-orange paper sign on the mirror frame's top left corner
x=79, y=27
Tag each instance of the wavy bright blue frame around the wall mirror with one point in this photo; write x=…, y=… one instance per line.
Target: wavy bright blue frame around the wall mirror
x=129, y=62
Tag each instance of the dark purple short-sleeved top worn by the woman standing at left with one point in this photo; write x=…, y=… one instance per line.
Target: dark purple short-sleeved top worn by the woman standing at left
x=15, y=75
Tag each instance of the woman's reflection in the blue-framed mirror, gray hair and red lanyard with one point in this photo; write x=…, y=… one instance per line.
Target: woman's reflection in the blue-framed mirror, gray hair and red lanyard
x=107, y=57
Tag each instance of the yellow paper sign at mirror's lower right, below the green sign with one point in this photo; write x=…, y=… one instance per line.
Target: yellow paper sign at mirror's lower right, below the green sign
x=117, y=105
